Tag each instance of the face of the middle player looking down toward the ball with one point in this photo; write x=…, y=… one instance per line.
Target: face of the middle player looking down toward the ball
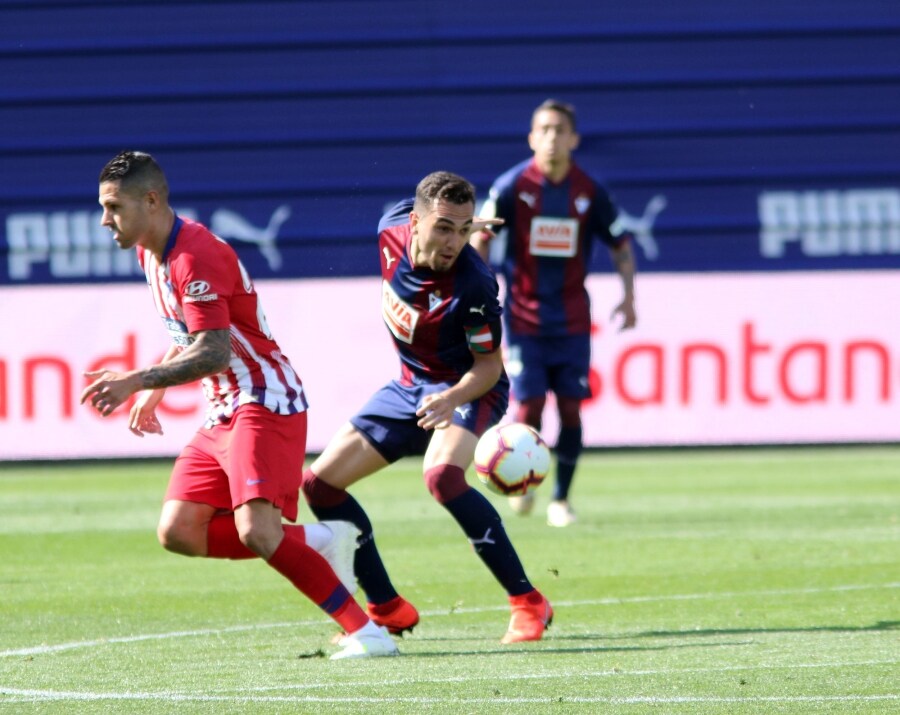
x=440, y=234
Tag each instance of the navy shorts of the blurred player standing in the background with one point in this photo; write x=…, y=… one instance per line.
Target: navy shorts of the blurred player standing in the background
x=538, y=365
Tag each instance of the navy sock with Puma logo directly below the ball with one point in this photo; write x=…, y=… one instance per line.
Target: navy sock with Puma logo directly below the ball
x=482, y=524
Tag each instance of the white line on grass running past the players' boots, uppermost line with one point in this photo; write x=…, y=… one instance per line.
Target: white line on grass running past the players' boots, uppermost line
x=611, y=601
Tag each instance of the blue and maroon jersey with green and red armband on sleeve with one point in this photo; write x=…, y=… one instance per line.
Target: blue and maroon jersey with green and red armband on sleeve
x=437, y=320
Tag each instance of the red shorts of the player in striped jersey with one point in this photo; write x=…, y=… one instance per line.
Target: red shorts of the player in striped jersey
x=256, y=455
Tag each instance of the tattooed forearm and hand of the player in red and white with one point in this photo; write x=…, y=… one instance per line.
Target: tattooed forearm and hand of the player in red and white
x=207, y=355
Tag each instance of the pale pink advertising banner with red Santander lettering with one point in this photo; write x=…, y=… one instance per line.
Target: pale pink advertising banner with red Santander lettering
x=717, y=359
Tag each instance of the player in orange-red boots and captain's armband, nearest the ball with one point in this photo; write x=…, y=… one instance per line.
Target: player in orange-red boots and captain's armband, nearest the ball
x=439, y=301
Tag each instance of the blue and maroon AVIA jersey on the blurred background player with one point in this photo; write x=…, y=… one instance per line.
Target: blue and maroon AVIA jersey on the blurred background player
x=546, y=246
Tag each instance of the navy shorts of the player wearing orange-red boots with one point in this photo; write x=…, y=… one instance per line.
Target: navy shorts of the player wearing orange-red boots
x=388, y=420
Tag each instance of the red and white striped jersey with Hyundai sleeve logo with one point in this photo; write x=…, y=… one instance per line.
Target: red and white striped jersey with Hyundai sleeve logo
x=201, y=285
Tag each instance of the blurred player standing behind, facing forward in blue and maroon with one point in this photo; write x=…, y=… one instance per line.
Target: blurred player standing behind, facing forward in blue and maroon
x=552, y=210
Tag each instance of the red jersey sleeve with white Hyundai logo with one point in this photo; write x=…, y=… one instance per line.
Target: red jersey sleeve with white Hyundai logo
x=205, y=283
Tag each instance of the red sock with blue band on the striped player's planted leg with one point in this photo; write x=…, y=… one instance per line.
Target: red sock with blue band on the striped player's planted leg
x=313, y=577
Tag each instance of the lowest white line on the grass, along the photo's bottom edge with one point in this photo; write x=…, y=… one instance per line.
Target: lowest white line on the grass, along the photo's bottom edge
x=23, y=696
